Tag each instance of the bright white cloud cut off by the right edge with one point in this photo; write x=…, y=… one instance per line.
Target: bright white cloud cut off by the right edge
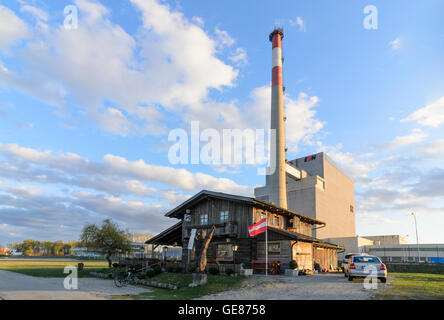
x=432, y=115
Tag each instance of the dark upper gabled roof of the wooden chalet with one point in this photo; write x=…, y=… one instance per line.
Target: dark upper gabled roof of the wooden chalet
x=179, y=211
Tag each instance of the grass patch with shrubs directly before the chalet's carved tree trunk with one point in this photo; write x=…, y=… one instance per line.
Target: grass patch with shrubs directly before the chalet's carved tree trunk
x=215, y=284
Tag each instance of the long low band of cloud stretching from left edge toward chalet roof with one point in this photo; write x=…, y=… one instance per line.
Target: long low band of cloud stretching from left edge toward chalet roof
x=114, y=175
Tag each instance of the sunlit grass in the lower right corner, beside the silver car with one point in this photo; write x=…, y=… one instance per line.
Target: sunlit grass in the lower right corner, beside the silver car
x=416, y=286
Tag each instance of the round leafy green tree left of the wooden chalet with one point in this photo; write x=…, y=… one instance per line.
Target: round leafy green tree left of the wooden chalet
x=108, y=239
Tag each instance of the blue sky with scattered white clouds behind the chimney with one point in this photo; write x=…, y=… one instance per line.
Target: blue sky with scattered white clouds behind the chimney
x=90, y=91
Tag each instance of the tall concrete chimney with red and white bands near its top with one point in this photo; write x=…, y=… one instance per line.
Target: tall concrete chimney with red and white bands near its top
x=278, y=188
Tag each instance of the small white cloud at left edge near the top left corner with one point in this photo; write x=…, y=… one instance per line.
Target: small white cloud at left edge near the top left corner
x=12, y=28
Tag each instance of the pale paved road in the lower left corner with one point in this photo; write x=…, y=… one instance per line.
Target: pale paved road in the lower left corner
x=16, y=286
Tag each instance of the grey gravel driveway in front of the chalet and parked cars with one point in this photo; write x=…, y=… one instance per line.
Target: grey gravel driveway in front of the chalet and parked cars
x=315, y=287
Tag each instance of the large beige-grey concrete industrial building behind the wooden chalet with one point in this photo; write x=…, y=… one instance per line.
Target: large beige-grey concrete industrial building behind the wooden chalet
x=316, y=187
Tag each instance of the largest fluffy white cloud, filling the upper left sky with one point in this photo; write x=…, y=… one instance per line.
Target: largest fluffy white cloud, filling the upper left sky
x=100, y=62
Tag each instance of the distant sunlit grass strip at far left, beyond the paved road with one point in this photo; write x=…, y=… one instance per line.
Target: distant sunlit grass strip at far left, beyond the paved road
x=50, y=269
